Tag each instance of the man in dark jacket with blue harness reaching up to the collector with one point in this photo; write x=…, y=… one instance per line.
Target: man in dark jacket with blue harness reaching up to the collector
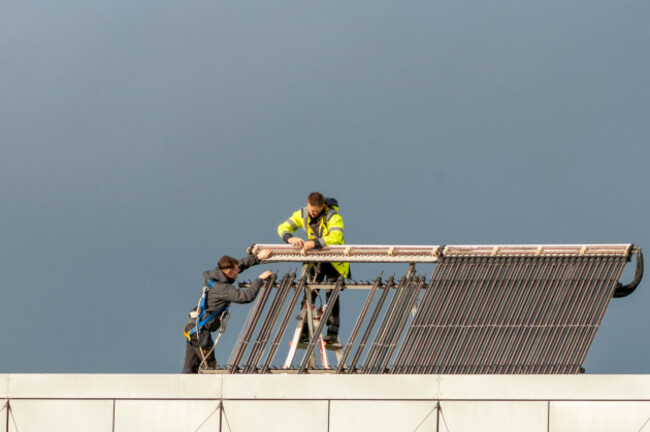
x=220, y=295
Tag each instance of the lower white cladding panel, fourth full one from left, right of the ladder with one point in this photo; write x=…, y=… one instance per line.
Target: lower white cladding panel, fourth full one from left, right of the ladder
x=382, y=416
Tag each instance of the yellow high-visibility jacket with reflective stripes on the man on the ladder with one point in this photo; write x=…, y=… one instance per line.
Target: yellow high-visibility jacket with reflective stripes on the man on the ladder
x=330, y=231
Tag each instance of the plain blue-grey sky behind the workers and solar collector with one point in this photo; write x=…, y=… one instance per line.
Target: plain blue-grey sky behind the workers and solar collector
x=141, y=141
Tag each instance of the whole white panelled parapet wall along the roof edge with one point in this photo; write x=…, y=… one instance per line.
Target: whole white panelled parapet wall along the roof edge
x=324, y=403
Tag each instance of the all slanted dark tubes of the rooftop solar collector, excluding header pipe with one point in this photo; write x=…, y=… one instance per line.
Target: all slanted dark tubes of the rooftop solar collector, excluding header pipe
x=477, y=314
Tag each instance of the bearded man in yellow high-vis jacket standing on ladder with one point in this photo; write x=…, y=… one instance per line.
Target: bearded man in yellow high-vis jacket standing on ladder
x=323, y=226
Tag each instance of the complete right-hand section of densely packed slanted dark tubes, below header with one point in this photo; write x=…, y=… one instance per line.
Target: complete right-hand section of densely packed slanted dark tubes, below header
x=509, y=315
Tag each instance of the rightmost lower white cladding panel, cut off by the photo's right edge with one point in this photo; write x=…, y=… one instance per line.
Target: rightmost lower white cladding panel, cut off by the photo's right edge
x=599, y=416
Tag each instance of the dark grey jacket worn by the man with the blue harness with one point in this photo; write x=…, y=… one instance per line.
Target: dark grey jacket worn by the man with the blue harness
x=222, y=292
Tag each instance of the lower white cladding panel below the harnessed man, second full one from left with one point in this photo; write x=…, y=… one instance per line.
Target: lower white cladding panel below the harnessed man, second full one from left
x=166, y=415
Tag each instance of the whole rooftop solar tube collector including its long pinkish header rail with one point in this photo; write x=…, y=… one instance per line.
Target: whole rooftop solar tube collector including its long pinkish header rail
x=486, y=309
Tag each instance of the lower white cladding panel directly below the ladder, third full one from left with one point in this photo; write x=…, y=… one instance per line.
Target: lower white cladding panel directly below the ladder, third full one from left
x=280, y=416
